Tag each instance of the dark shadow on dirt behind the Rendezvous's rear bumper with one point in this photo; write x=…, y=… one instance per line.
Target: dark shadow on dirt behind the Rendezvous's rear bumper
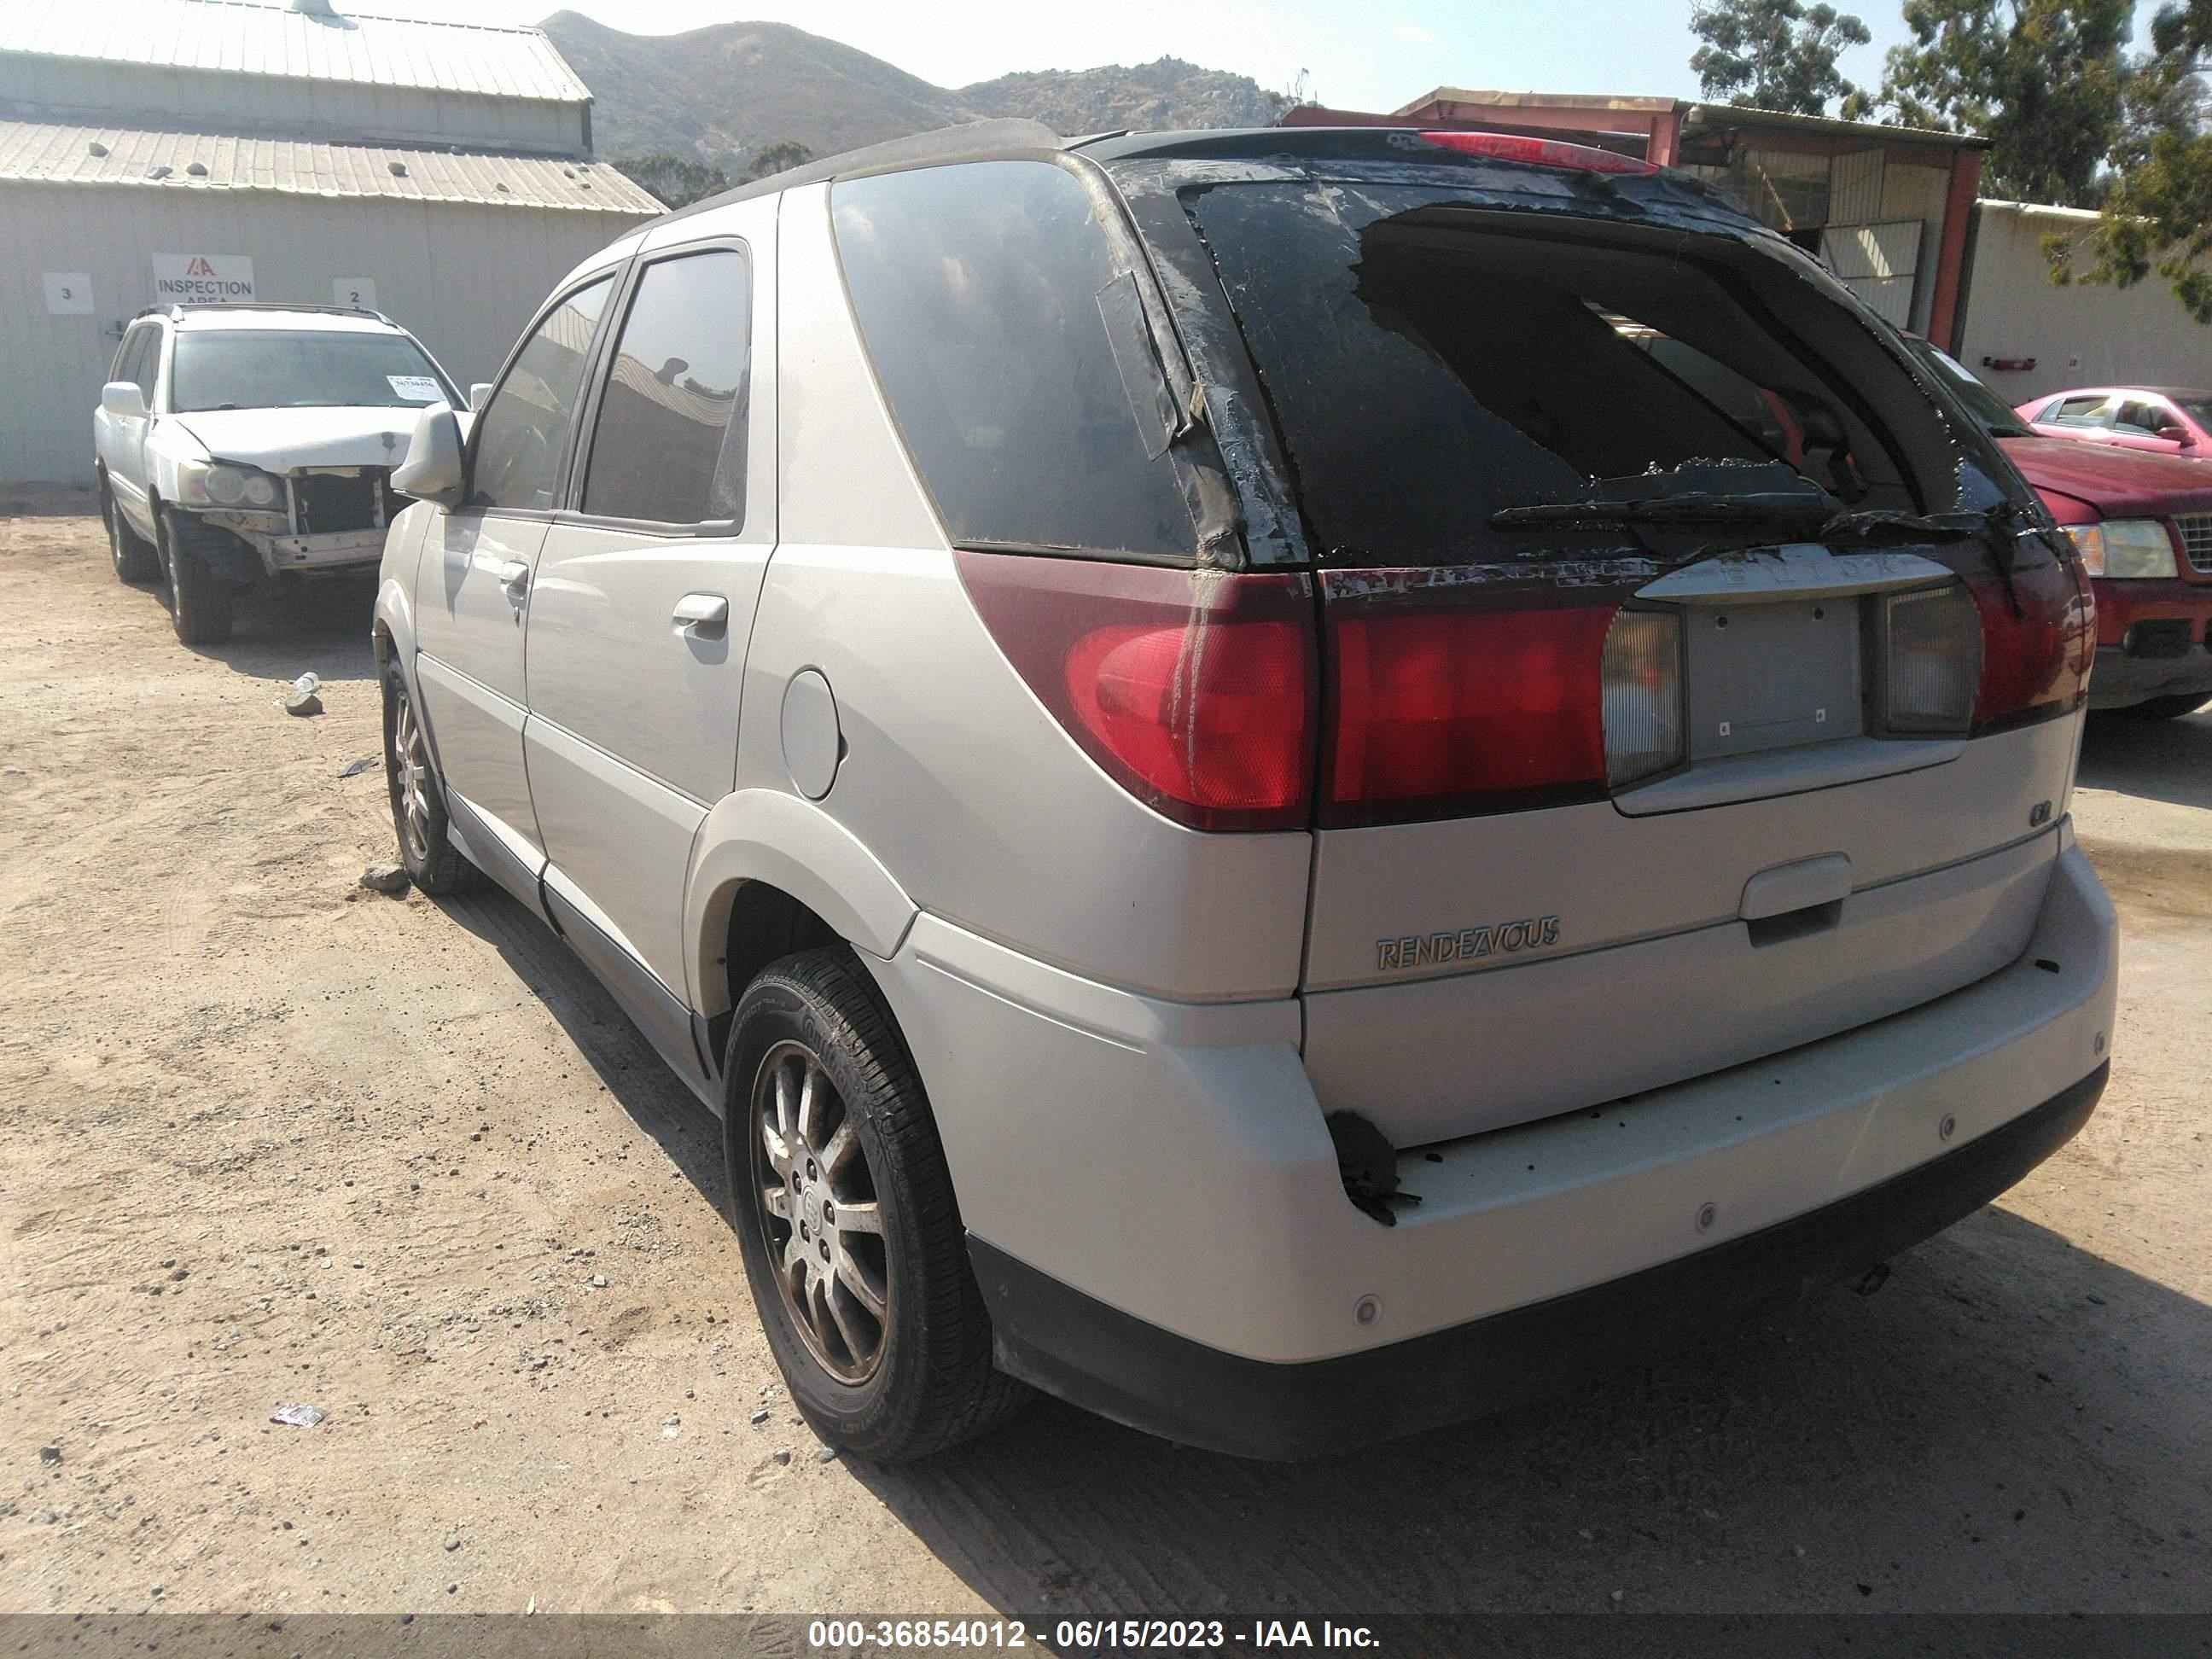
x=2003, y=1428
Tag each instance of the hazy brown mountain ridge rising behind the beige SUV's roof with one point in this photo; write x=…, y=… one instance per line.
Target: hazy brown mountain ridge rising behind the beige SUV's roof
x=724, y=92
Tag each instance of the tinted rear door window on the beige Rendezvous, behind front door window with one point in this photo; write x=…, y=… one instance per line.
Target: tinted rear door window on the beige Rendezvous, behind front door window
x=671, y=437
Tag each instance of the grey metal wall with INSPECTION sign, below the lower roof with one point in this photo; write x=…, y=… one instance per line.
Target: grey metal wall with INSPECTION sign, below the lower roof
x=463, y=278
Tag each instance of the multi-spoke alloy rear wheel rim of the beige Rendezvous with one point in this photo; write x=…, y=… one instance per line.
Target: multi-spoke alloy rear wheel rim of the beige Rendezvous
x=820, y=1213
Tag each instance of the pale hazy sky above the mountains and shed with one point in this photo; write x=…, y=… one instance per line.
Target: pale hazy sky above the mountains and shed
x=1357, y=56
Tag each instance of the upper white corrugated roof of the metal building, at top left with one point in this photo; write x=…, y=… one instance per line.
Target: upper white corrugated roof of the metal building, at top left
x=251, y=39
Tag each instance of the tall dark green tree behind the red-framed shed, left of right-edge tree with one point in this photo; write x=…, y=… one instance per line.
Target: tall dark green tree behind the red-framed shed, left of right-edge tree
x=2043, y=81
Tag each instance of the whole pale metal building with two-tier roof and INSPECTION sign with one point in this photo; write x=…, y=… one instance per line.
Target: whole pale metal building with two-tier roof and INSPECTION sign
x=238, y=149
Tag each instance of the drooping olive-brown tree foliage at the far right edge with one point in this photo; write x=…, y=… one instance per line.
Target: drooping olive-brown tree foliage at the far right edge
x=2158, y=213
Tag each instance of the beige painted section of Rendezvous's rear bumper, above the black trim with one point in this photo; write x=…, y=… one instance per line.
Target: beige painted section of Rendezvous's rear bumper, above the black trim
x=1171, y=1162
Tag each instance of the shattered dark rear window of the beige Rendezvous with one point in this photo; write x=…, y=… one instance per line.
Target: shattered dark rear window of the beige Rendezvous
x=1432, y=368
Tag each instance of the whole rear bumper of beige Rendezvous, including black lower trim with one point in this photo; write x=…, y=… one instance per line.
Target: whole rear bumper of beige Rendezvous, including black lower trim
x=1162, y=1235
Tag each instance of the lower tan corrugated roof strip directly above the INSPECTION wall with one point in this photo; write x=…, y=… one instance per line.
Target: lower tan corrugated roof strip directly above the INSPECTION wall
x=167, y=160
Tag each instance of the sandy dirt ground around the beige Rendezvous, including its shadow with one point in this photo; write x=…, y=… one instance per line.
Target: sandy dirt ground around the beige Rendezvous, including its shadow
x=275, y=1142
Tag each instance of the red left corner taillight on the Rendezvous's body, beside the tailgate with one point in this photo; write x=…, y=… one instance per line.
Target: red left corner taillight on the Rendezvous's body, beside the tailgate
x=1191, y=689
